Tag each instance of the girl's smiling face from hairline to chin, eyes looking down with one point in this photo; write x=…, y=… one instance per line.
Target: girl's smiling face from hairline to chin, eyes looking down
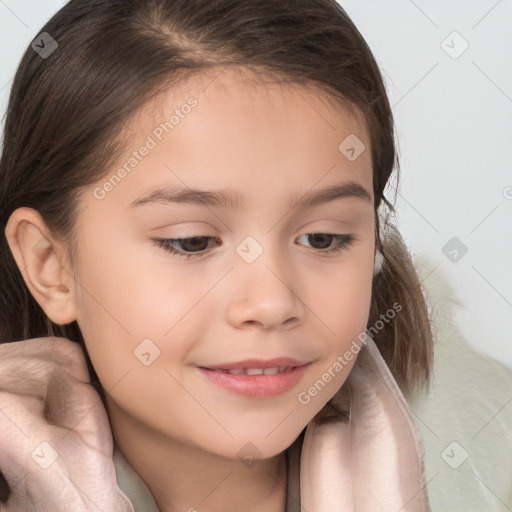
x=256, y=283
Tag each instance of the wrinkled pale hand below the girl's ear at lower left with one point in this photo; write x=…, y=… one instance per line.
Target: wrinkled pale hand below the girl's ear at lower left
x=56, y=446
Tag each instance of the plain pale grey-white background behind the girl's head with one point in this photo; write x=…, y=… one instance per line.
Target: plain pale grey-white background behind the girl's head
x=454, y=121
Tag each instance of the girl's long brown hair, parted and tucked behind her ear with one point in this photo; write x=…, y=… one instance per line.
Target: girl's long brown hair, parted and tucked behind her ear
x=115, y=55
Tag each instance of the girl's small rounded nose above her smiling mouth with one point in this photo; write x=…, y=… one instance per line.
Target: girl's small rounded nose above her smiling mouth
x=264, y=294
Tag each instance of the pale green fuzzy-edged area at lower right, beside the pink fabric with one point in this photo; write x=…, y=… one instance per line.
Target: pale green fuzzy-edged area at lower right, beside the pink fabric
x=466, y=422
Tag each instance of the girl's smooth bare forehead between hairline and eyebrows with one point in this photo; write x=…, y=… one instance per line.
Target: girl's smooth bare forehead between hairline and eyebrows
x=247, y=130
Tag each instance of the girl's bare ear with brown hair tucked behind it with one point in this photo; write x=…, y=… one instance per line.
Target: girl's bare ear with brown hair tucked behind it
x=43, y=265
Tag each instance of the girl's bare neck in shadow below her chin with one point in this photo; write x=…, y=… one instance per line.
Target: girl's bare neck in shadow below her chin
x=182, y=477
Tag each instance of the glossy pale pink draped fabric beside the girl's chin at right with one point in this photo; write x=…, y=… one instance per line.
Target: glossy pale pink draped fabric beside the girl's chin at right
x=372, y=461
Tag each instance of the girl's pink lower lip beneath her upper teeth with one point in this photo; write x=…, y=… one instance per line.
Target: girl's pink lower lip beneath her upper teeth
x=256, y=385
